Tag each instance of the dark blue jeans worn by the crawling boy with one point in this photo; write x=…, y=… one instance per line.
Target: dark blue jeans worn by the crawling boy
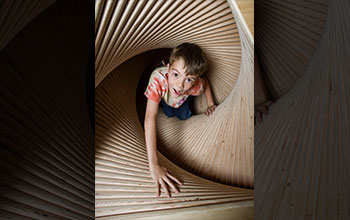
x=183, y=112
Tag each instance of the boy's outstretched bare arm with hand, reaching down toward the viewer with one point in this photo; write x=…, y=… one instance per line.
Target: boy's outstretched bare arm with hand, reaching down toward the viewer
x=159, y=174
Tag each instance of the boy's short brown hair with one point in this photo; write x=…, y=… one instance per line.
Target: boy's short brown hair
x=193, y=56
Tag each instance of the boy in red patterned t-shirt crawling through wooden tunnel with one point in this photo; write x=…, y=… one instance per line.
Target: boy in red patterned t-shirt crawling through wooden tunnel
x=173, y=86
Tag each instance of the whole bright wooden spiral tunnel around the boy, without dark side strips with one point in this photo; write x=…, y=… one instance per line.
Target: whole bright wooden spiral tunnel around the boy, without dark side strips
x=219, y=148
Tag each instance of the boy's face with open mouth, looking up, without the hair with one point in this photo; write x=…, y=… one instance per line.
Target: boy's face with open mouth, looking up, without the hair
x=179, y=82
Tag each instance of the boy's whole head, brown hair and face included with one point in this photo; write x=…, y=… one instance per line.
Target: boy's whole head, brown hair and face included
x=186, y=64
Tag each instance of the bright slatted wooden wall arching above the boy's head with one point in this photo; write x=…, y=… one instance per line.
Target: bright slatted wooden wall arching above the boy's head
x=128, y=28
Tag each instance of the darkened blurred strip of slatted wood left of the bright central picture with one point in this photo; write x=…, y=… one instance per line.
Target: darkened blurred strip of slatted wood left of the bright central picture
x=46, y=153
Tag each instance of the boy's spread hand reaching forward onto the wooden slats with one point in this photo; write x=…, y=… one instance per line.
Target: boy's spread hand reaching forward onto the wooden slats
x=162, y=176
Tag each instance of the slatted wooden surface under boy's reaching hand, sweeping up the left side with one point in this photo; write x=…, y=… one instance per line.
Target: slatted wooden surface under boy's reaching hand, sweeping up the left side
x=123, y=183
